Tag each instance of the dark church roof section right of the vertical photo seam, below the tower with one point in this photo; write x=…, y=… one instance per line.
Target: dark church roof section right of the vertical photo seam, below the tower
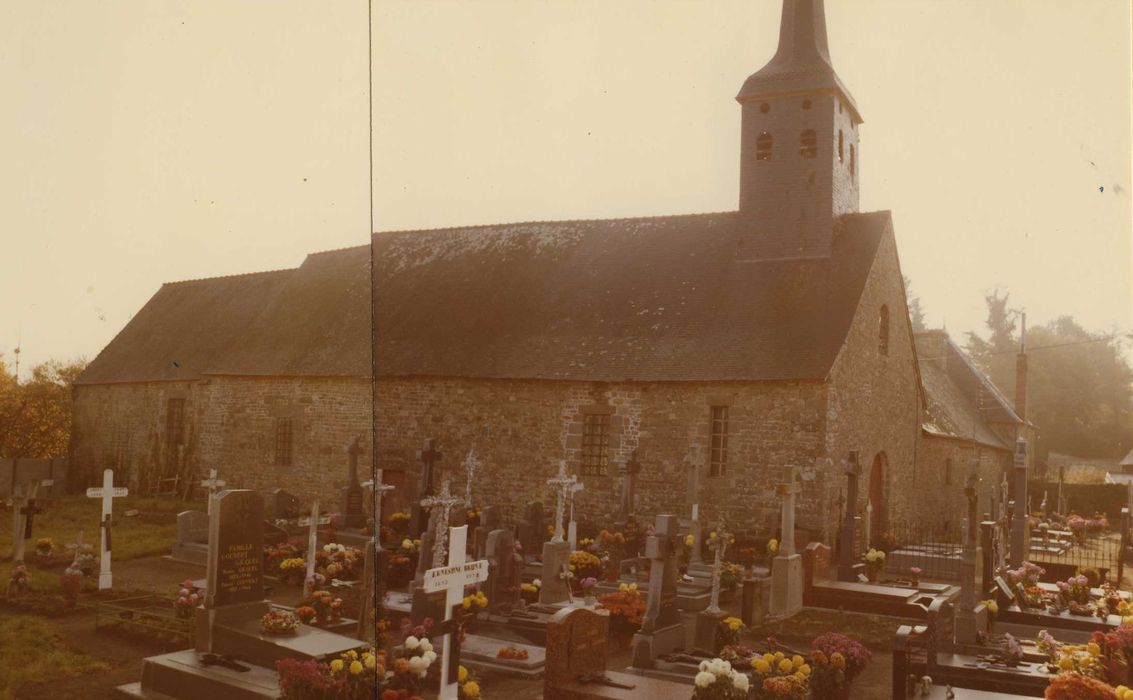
x=627, y=300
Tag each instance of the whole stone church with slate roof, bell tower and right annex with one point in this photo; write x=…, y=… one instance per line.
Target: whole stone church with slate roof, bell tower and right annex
x=736, y=344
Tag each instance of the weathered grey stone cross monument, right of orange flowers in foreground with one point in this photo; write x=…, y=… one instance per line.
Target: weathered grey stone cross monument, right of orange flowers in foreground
x=661, y=631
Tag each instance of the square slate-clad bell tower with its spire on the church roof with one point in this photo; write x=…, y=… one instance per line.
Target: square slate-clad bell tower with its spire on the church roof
x=799, y=146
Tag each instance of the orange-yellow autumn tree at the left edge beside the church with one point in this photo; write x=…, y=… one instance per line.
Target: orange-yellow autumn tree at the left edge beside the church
x=36, y=416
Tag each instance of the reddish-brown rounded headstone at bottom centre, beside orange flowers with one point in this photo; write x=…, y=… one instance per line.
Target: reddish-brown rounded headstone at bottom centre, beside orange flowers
x=577, y=646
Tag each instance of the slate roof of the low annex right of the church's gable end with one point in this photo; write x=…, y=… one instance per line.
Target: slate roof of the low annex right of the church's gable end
x=960, y=400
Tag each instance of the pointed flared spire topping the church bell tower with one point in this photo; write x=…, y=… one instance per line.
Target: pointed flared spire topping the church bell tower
x=803, y=61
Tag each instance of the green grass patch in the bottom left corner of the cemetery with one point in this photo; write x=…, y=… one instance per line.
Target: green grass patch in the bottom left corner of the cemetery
x=35, y=654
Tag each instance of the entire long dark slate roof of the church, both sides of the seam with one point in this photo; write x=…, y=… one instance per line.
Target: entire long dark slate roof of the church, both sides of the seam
x=627, y=300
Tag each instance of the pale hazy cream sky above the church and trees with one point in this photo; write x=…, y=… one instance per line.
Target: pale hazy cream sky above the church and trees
x=146, y=143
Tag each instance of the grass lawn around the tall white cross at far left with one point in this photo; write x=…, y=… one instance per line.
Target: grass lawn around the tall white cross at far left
x=152, y=532
